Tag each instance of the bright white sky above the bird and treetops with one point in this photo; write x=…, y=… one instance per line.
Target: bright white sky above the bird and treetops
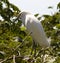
x=36, y=6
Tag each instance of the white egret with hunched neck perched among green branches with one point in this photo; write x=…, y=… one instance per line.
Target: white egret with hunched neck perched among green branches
x=35, y=28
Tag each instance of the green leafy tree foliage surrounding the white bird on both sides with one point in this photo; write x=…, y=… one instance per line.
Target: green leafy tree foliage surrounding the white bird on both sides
x=16, y=42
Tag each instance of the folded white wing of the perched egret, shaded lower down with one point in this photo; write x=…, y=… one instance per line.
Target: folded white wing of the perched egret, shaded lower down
x=38, y=34
